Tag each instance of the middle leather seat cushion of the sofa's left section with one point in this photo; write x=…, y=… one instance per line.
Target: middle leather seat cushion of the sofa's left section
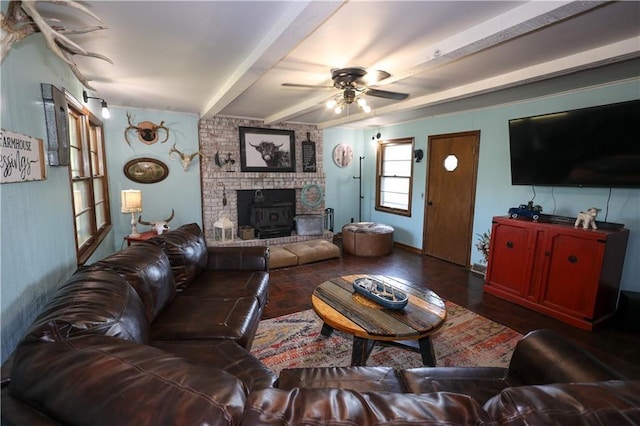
x=196, y=318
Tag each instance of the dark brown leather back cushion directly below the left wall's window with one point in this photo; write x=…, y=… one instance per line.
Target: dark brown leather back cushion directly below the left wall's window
x=94, y=300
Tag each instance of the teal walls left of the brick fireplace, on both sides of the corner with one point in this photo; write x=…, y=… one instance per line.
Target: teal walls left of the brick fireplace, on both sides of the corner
x=37, y=252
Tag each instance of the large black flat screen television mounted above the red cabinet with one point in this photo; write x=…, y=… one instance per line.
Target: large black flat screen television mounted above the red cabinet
x=588, y=147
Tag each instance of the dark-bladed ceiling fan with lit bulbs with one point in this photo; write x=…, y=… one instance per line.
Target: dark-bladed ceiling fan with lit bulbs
x=353, y=82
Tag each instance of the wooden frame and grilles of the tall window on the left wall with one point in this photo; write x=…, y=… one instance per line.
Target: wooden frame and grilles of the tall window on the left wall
x=98, y=234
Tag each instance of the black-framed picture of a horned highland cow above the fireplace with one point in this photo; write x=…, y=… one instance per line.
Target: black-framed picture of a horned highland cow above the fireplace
x=267, y=150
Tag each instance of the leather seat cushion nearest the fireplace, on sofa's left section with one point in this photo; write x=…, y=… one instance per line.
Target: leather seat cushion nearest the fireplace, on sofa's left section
x=230, y=284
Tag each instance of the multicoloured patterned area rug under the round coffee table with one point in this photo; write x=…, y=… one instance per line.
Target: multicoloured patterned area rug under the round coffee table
x=467, y=339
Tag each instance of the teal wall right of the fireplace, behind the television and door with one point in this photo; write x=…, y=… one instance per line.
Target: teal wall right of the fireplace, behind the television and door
x=494, y=192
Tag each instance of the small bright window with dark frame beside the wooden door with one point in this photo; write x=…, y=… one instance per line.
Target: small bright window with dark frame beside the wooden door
x=394, y=176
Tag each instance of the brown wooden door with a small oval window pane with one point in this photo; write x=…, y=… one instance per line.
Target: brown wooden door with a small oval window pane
x=451, y=189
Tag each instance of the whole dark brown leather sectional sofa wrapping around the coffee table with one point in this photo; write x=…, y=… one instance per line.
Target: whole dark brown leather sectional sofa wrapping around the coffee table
x=160, y=333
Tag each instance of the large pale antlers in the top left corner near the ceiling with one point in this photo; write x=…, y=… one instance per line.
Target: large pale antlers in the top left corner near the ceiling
x=23, y=20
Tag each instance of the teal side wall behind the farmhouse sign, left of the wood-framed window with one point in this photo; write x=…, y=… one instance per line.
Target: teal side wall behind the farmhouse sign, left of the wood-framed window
x=36, y=226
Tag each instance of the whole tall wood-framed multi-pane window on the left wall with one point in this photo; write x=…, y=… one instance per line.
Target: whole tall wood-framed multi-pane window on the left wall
x=88, y=178
